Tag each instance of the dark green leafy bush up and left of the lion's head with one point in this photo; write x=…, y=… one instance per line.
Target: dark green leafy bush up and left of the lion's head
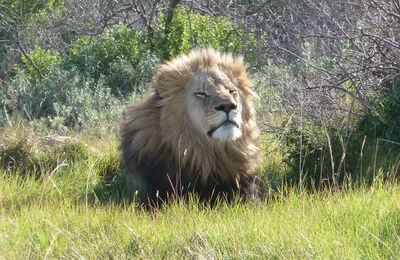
x=118, y=56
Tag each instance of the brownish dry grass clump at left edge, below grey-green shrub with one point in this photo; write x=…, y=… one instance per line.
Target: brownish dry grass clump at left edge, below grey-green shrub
x=22, y=152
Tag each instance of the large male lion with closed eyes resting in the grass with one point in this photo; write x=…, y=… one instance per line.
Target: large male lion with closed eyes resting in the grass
x=196, y=133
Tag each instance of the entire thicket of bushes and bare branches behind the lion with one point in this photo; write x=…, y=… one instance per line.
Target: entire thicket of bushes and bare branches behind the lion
x=327, y=73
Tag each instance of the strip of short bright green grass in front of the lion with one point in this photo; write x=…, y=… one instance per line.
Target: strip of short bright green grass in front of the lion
x=361, y=223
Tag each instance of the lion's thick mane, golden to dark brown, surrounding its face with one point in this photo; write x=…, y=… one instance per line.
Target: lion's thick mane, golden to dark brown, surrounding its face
x=166, y=155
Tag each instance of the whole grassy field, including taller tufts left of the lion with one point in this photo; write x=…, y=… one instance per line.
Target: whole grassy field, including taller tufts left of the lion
x=72, y=201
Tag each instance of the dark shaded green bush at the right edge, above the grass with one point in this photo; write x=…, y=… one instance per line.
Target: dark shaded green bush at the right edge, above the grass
x=360, y=154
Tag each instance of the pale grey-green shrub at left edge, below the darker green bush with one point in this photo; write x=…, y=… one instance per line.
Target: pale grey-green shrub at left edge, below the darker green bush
x=62, y=97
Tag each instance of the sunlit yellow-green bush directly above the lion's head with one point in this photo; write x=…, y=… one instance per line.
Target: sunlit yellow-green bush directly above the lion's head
x=189, y=30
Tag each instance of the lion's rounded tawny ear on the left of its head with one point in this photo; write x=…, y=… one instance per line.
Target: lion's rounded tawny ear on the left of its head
x=171, y=78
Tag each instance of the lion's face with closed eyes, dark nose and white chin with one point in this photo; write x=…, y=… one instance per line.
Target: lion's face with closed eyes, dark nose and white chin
x=213, y=104
